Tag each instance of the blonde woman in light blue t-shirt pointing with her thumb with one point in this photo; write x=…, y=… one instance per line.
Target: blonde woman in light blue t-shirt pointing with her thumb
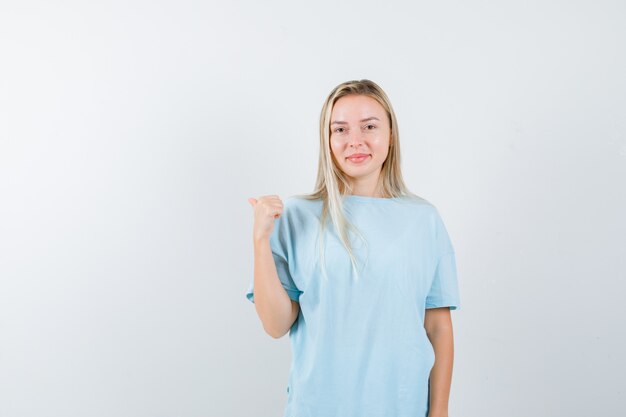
x=361, y=273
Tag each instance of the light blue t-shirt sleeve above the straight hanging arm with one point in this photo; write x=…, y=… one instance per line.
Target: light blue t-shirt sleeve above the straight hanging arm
x=444, y=291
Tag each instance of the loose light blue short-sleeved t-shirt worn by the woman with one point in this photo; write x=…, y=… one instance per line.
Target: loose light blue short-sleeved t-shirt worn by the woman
x=359, y=347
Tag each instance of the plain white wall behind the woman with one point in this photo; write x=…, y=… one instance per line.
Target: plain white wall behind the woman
x=133, y=132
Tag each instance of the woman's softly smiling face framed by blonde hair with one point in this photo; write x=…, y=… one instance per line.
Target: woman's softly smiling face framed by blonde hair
x=360, y=127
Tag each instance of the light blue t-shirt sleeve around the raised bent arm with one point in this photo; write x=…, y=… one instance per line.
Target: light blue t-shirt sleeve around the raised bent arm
x=281, y=245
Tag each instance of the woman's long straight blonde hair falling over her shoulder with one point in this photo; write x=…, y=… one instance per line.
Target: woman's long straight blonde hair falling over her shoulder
x=332, y=185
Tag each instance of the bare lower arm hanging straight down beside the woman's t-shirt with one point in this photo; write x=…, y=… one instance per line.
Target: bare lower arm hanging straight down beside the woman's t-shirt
x=438, y=325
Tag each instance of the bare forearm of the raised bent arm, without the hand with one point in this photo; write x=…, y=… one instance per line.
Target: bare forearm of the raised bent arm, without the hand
x=275, y=309
